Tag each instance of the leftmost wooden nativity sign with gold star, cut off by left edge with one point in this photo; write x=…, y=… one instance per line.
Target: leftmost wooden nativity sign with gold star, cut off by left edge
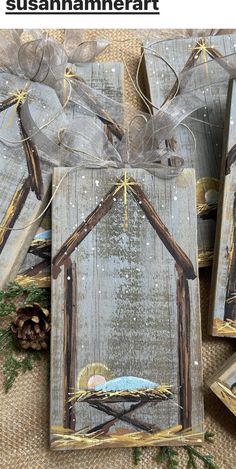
x=24, y=168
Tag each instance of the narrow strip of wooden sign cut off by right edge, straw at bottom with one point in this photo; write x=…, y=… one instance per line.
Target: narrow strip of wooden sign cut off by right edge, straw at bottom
x=223, y=288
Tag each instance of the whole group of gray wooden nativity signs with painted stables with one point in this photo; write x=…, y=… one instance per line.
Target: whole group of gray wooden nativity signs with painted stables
x=121, y=246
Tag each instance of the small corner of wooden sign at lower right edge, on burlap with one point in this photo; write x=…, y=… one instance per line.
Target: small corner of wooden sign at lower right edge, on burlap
x=223, y=384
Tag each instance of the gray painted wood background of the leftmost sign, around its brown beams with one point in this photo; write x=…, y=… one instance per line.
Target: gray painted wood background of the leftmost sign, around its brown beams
x=44, y=105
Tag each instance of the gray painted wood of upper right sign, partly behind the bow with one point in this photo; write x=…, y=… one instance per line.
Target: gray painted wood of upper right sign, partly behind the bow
x=207, y=158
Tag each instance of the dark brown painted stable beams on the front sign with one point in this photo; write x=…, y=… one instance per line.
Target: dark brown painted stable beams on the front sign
x=185, y=272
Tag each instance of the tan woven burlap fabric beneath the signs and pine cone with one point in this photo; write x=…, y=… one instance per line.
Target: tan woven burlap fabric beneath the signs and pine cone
x=24, y=410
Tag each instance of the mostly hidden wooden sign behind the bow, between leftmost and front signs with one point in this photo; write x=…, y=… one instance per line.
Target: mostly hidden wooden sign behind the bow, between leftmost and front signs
x=108, y=79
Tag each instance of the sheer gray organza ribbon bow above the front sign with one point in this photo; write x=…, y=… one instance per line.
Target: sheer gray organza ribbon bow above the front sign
x=144, y=143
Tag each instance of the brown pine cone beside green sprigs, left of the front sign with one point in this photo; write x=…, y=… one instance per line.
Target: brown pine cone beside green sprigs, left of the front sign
x=31, y=327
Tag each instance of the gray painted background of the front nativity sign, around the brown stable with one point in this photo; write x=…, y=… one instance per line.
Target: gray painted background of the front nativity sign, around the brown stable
x=126, y=307
